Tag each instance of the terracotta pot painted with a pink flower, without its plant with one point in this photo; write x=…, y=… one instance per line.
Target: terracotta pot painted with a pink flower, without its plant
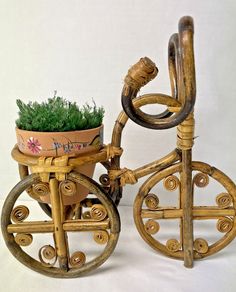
x=53, y=144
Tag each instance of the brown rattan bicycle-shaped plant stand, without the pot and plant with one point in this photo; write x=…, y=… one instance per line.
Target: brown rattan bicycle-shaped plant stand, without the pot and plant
x=97, y=213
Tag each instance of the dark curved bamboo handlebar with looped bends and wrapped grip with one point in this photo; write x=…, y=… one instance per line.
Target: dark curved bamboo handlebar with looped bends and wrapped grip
x=182, y=75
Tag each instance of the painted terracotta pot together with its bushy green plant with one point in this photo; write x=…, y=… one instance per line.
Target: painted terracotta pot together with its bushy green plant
x=58, y=127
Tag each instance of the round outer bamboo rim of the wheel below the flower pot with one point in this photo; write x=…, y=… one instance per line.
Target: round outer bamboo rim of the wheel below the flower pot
x=23, y=257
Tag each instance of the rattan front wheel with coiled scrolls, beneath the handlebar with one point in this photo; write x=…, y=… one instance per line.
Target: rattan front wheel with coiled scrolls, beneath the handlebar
x=173, y=248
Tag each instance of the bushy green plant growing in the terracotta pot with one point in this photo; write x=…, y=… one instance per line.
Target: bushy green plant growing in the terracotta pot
x=58, y=115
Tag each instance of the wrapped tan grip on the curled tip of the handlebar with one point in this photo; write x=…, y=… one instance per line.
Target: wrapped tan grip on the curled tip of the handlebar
x=141, y=73
